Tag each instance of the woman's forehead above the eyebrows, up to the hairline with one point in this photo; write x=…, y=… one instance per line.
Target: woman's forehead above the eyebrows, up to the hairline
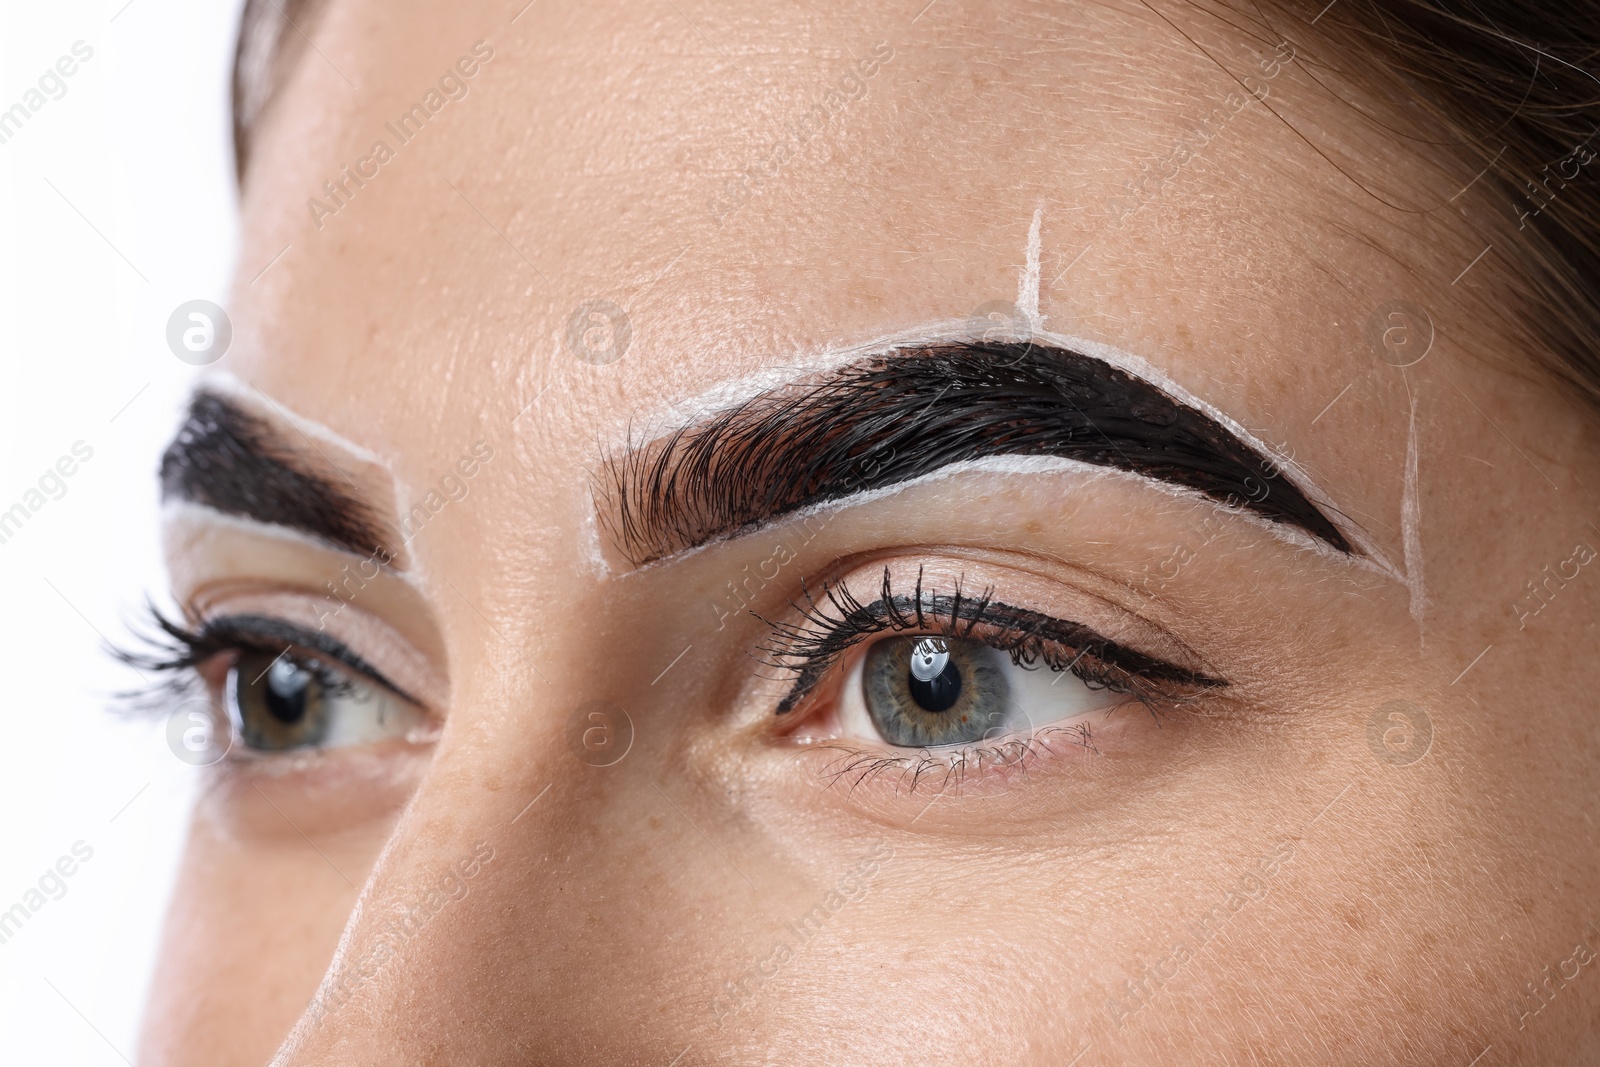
x=721, y=190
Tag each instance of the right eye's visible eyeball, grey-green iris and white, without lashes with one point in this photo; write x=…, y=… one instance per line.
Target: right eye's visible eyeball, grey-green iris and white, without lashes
x=935, y=692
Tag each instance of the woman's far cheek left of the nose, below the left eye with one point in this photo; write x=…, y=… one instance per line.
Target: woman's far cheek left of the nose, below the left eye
x=257, y=909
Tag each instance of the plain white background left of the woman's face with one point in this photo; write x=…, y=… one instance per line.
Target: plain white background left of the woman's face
x=127, y=175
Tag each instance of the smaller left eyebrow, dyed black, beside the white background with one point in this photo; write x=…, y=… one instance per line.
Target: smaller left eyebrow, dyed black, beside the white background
x=233, y=462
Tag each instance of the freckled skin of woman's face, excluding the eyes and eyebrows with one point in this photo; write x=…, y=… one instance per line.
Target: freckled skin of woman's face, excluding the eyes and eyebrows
x=1271, y=876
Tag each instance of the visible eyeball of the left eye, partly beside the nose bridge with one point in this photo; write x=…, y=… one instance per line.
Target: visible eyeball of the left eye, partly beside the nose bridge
x=298, y=701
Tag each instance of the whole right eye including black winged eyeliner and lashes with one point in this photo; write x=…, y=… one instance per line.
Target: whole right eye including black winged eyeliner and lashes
x=948, y=673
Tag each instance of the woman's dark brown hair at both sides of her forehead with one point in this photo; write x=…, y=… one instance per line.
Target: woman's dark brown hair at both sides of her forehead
x=1505, y=81
